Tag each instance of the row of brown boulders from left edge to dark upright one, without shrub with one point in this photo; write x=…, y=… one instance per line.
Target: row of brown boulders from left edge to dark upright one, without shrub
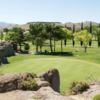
x=9, y=82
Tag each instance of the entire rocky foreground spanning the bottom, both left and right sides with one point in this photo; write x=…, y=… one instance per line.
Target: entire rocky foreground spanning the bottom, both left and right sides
x=47, y=85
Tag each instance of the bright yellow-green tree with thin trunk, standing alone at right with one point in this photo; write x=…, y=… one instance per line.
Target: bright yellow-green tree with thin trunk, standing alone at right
x=84, y=36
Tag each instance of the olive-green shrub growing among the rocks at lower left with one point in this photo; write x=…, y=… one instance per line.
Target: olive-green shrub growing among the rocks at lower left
x=28, y=84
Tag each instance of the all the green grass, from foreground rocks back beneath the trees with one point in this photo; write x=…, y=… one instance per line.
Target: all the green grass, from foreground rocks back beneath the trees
x=80, y=66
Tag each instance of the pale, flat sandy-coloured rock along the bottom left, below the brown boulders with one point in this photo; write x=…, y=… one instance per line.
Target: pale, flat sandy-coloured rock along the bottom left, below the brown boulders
x=44, y=93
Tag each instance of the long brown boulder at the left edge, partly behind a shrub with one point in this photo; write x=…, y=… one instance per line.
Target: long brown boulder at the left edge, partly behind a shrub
x=10, y=82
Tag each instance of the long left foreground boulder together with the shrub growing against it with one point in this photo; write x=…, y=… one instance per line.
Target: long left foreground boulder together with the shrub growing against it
x=22, y=81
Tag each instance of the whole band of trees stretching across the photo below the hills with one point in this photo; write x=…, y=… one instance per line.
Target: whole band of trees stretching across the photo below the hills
x=38, y=33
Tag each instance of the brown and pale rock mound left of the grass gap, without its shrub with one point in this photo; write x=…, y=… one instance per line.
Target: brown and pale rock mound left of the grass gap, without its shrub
x=46, y=83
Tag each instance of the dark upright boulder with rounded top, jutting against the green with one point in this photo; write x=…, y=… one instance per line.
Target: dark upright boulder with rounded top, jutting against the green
x=52, y=76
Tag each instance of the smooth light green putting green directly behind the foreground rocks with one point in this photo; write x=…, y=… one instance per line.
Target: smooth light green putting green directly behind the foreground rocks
x=70, y=69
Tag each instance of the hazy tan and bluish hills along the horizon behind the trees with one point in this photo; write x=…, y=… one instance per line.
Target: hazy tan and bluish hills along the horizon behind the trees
x=26, y=26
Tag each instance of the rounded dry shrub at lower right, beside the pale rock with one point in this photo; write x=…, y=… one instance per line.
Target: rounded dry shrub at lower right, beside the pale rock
x=78, y=87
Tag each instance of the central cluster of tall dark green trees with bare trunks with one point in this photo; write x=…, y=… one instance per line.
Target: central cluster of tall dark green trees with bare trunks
x=42, y=32
